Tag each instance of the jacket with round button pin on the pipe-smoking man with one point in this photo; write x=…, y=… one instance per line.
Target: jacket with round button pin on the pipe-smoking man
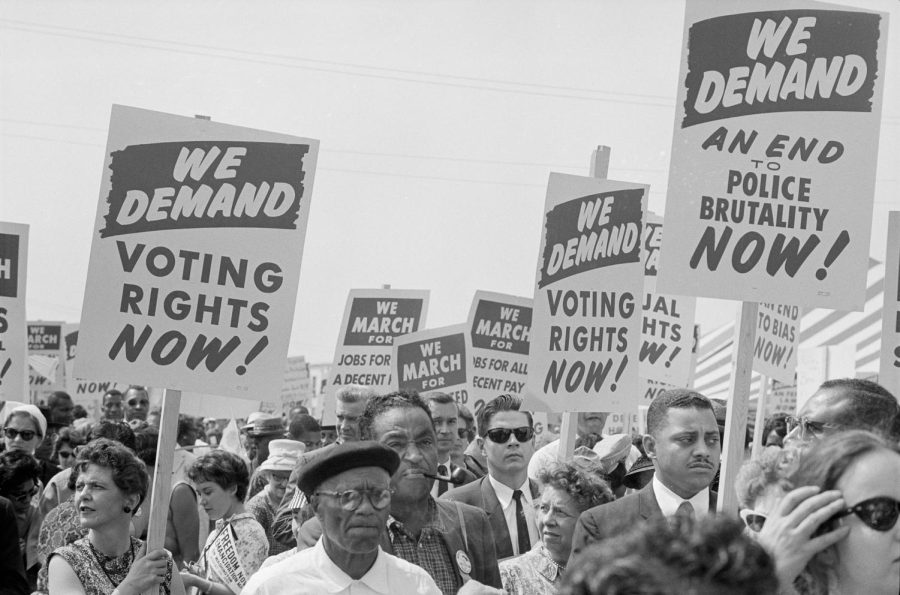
x=478, y=544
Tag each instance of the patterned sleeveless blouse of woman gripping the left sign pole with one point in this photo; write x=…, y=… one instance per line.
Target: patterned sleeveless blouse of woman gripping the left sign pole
x=101, y=574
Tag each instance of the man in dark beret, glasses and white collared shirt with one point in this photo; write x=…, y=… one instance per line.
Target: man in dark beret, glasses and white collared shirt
x=349, y=491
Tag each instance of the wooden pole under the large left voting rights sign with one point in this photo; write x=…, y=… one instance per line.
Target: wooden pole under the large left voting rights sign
x=162, y=476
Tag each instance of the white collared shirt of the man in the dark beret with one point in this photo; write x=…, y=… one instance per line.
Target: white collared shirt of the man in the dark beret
x=312, y=572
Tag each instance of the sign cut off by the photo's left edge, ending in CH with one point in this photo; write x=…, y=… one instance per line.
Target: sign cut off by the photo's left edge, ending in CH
x=13, y=330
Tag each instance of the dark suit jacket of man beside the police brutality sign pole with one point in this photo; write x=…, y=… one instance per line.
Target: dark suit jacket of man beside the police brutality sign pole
x=619, y=516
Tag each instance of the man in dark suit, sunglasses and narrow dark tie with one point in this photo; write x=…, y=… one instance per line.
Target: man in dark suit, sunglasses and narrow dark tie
x=506, y=435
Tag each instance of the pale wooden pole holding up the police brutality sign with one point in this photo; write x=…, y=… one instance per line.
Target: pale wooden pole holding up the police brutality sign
x=738, y=405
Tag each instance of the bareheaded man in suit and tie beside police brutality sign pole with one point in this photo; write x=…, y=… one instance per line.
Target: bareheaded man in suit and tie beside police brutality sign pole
x=683, y=443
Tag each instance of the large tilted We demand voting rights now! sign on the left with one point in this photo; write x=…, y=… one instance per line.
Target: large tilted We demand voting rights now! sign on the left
x=196, y=255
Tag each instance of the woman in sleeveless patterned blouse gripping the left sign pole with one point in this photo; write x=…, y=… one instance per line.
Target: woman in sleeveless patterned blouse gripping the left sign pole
x=111, y=485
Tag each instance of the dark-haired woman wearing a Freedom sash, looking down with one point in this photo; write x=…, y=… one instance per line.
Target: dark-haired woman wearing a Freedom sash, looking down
x=221, y=479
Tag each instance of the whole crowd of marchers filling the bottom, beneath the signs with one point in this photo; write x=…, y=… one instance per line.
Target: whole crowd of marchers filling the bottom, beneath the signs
x=412, y=493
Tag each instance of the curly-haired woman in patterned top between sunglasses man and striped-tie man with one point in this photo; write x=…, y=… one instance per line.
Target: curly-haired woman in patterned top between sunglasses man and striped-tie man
x=568, y=490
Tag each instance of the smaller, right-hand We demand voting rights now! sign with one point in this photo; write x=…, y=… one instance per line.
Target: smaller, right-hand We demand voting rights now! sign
x=586, y=317
